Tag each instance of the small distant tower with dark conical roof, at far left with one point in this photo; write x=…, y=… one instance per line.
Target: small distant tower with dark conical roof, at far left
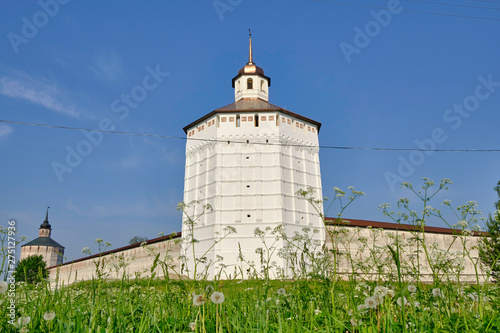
x=45, y=246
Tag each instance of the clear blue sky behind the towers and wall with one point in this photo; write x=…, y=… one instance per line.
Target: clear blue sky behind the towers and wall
x=403, y=78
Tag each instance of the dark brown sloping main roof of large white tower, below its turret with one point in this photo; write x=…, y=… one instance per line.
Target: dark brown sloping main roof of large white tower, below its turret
x=251, y=105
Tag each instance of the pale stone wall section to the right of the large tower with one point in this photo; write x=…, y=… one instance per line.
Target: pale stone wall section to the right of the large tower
x=364, y=249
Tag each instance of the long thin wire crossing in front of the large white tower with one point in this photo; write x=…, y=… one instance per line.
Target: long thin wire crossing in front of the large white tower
x=246, y=141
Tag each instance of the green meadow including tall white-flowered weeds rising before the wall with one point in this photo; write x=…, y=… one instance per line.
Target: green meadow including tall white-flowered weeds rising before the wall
x=315, y=299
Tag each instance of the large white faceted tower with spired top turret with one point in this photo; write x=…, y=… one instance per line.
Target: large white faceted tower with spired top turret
x=247, y=160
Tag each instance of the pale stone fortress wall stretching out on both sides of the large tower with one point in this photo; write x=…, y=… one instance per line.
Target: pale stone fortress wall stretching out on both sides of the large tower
x=362, y=249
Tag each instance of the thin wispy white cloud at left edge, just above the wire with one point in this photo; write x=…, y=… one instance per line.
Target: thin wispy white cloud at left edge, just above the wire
x=49, y=95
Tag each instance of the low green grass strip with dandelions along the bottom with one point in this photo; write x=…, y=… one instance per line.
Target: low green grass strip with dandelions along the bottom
x=252, y=306
